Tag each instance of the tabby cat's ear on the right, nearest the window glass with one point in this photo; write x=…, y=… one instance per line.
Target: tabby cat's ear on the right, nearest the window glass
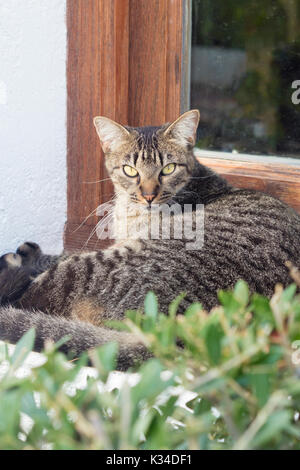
x=183, y=130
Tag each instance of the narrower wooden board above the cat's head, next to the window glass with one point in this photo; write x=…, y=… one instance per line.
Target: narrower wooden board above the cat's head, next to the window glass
x=156, y=29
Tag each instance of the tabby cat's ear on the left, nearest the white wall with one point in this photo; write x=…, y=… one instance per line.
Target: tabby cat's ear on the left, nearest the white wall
x=111, y=134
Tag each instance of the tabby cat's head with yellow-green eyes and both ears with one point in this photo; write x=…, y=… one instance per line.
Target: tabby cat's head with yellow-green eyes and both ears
x=151, y=164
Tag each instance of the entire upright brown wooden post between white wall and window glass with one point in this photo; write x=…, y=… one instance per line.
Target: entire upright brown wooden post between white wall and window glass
x=124, y=62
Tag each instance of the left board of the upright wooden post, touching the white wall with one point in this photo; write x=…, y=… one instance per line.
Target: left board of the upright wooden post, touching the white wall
x=97, y=77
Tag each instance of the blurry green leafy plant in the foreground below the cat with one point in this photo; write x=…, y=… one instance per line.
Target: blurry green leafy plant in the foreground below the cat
x=239, y=364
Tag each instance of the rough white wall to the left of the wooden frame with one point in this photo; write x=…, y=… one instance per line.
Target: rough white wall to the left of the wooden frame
x=32, y=123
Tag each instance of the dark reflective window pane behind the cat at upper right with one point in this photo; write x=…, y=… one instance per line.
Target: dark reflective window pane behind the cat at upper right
x=245, y=58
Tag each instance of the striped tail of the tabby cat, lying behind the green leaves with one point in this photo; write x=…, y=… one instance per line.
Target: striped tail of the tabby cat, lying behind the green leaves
x=14, y=323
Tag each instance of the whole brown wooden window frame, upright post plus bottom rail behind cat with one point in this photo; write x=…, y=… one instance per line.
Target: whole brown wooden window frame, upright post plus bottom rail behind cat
x=129, y=60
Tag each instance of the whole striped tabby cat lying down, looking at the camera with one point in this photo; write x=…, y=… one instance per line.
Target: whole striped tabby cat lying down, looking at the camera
x=247, y=235
